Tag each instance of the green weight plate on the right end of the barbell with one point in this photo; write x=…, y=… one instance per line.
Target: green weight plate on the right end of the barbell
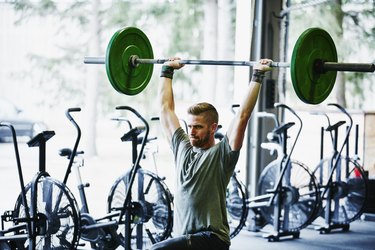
x=311, y=86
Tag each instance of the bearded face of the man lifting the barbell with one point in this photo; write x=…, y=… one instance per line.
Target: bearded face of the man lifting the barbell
x=200, y=132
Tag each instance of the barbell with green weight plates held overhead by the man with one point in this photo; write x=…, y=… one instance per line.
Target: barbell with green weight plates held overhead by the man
x=129, y=63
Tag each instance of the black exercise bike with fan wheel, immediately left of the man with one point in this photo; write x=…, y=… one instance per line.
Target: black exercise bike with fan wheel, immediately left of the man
x=150, y=218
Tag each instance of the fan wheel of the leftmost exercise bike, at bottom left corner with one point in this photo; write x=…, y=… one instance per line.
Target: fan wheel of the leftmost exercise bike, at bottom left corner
x=57, y=212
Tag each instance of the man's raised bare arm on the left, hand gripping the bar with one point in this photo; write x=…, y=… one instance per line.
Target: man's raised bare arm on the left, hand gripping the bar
x=168, y=117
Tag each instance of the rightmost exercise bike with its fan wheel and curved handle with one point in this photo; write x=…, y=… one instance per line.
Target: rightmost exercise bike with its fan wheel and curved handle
x=342, y=182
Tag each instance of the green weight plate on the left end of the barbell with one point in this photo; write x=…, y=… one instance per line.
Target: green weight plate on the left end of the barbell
x=125, y=78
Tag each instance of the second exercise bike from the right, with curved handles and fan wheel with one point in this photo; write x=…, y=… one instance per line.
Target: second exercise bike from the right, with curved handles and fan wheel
x=288, y=194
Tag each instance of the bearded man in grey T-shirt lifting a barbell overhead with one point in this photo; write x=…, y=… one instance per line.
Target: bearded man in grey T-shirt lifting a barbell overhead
x=203, y=168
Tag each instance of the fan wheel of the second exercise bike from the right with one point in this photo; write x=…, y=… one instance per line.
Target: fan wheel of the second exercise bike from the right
x=300, y=196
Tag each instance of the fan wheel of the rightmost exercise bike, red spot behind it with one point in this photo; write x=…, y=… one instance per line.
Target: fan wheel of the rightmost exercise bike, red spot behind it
x=349, y=190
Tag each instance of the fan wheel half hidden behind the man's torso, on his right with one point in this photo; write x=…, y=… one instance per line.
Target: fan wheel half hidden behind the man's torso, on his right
x=237, y=209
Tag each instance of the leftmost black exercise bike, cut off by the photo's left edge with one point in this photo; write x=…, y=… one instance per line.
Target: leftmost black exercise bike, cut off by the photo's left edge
x=45, y=215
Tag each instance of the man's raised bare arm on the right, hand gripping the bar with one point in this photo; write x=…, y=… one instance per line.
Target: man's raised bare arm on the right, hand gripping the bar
x=237, y=128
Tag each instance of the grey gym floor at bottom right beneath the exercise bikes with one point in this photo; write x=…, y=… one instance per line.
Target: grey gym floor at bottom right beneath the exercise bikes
x=361, y=235
